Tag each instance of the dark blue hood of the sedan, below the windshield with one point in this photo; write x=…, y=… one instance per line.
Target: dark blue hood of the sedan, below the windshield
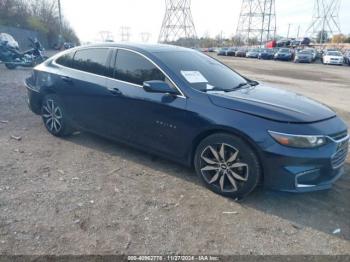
x=272, y=103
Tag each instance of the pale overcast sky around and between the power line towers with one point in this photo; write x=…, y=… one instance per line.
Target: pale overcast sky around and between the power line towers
x=88, y=18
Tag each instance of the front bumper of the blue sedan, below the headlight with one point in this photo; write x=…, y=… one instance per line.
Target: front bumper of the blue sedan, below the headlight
x=305, y=170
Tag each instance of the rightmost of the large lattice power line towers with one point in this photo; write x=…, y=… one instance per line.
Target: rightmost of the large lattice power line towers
x=325, y=20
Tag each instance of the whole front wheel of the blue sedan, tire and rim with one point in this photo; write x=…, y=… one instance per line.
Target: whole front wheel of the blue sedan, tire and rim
x=227, y=165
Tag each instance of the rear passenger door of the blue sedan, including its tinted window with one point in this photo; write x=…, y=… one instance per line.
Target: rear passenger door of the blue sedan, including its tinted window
x=83, y=88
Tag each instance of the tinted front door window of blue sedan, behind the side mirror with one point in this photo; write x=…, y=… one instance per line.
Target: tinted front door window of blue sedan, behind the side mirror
x=134, y=68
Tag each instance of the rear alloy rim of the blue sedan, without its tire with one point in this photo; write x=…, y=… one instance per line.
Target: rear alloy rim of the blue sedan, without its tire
x=52, y=116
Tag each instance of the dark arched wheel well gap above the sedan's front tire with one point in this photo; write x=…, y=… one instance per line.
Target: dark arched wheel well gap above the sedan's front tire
x=208, y=133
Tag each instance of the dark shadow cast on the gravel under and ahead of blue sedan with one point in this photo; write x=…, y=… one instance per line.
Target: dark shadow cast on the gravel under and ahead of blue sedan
x=324, y=211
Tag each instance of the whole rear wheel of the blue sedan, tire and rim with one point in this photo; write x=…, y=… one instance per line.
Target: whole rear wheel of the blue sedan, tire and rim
x=54, y=116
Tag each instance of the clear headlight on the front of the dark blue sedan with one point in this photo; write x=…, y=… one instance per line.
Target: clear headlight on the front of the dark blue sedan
x=298, y=141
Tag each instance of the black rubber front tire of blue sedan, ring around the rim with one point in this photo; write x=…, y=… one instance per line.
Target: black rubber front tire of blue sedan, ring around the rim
x=246, y=153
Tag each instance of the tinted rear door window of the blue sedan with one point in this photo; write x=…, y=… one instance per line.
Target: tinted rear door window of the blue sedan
x=92, y=60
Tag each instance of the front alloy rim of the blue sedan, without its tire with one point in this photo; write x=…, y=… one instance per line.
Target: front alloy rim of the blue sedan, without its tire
x=222, y=167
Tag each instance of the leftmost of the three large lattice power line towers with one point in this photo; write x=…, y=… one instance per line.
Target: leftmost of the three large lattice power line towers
x=178, y=22
